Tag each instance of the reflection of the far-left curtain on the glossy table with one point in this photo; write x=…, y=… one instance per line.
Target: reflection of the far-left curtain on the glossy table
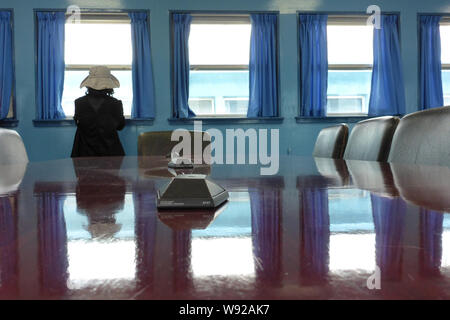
x=8, y=252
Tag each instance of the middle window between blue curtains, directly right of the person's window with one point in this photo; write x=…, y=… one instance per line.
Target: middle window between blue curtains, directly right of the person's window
x=219, y=53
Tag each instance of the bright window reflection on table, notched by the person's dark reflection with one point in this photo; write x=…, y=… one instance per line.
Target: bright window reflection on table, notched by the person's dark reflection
x=94, y=261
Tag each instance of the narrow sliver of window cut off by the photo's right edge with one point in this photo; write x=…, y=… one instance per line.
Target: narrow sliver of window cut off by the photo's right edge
x=445, y=58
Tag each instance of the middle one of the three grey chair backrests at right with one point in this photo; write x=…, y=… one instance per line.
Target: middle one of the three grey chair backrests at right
x=371, y=139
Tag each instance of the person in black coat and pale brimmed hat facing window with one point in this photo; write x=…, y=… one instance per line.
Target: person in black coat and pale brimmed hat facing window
x=98, y=116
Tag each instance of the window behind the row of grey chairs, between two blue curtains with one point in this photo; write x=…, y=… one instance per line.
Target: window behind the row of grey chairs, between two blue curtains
x=350, y=61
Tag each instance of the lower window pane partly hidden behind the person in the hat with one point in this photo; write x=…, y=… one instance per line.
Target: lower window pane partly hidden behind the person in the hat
x=72, y=90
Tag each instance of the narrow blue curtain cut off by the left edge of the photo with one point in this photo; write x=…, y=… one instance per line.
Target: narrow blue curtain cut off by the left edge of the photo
x=6, y=63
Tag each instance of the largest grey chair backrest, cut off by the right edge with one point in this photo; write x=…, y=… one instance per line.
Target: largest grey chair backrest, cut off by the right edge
x=423, y=137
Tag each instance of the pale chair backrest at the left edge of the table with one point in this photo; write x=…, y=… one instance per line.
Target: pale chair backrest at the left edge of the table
x=12, y=149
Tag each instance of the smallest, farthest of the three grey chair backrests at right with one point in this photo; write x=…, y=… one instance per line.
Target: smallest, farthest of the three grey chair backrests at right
x=331, y=142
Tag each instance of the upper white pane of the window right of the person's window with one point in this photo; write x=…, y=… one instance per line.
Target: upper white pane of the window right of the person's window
x=217, y=44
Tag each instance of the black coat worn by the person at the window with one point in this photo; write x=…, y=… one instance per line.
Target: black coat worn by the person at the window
x=97, y=127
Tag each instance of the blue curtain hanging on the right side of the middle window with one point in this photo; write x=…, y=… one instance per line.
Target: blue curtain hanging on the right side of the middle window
x=263, y=84
